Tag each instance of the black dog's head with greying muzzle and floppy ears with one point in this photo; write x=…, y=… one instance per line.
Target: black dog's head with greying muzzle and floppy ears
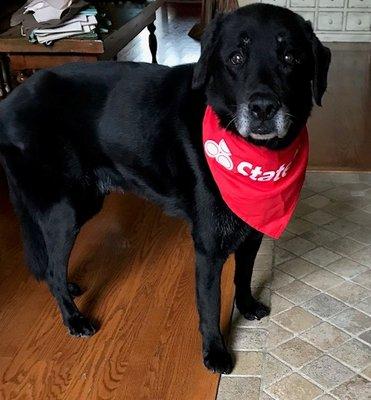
x=261, y=66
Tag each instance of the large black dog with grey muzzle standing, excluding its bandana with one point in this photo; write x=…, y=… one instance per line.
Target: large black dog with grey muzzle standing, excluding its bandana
x=71, y=134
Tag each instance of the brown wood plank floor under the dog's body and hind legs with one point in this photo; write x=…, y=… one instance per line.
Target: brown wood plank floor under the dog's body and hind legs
x=137, y=267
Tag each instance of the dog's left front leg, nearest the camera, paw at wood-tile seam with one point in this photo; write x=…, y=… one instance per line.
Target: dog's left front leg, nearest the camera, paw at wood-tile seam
x=208, y=273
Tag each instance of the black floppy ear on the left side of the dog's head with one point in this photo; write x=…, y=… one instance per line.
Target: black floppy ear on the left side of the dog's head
x=208, y=44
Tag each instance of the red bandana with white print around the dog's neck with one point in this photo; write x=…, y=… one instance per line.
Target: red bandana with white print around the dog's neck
x=261, y=186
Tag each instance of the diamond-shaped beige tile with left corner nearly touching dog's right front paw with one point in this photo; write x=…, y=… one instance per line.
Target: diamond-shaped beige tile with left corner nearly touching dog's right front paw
x=296, y=319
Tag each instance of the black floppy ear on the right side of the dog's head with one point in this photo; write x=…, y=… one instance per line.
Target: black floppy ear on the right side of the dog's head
x=322, y=59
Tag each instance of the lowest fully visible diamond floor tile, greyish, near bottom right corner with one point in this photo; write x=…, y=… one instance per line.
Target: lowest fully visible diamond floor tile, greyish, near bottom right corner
x=327, y=372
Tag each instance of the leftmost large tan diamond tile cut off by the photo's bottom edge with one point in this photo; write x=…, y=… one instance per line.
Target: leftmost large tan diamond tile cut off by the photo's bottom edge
x=294, y=387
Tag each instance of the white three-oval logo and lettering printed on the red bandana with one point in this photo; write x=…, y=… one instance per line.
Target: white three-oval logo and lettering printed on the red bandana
x=223, y=156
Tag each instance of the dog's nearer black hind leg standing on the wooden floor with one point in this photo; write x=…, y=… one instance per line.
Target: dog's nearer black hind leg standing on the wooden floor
x=49, y=235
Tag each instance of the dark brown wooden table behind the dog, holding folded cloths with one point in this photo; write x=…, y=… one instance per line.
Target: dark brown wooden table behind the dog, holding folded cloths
x=19, y=58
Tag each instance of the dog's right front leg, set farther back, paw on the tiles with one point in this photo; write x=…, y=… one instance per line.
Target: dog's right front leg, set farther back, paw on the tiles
x=245, y=256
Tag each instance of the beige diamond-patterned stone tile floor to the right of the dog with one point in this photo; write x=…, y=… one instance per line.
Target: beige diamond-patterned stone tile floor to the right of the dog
x=317, y=279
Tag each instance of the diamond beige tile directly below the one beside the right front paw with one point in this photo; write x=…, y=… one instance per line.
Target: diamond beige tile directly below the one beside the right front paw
x=296, y=352
